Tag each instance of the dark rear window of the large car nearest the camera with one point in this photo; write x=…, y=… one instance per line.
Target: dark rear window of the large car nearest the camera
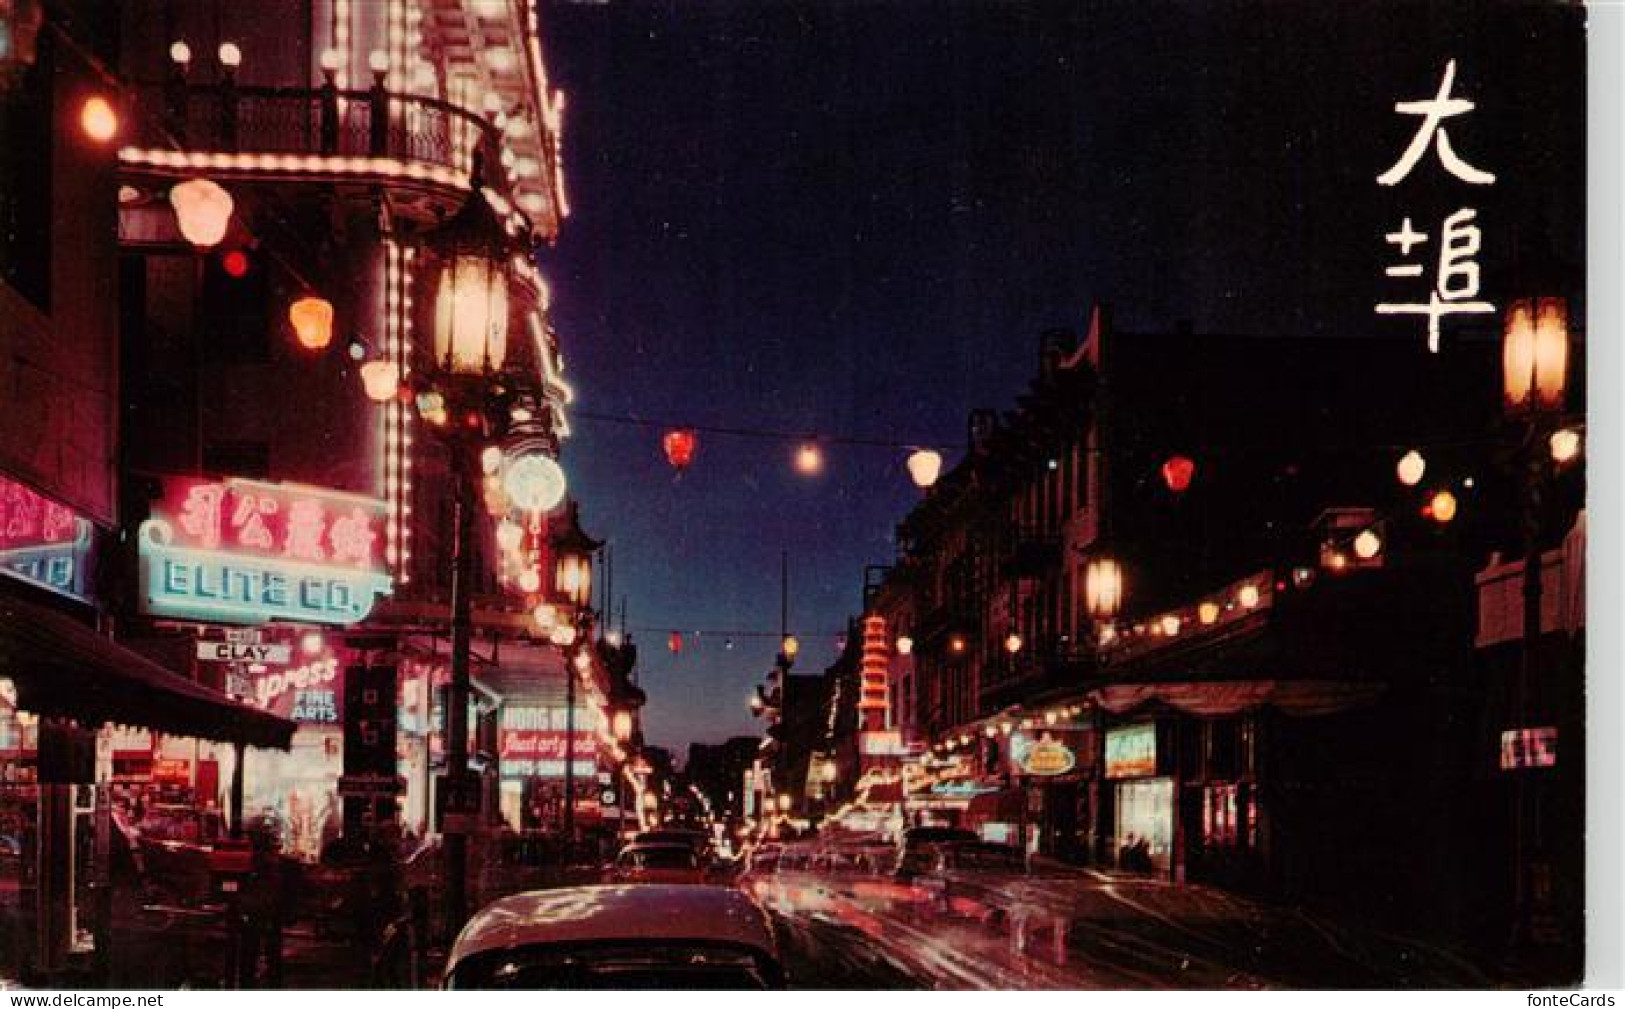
x=618, y=966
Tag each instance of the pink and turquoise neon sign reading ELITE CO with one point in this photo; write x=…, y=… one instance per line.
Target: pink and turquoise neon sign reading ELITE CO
x=241, y=552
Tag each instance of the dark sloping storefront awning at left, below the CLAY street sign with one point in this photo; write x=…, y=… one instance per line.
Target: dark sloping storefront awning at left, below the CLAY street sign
x=66, y=670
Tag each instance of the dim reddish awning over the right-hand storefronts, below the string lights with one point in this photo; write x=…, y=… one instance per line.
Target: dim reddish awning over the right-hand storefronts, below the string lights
x=1302, y=698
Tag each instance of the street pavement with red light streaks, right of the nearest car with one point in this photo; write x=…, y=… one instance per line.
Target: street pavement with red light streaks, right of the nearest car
x=1078, y=930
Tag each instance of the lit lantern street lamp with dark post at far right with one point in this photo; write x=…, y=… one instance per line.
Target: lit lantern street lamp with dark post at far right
x=1535, y=376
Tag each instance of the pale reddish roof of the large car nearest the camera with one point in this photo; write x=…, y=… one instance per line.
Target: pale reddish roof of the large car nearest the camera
x=696, y=914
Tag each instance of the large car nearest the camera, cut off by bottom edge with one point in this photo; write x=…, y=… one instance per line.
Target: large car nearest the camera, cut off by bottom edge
x=618, y=938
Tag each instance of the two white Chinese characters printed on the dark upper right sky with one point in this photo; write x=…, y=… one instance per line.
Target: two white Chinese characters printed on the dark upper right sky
x=1455, y=288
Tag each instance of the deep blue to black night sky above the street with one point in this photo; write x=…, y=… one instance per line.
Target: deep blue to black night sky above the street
x=856, y=220
